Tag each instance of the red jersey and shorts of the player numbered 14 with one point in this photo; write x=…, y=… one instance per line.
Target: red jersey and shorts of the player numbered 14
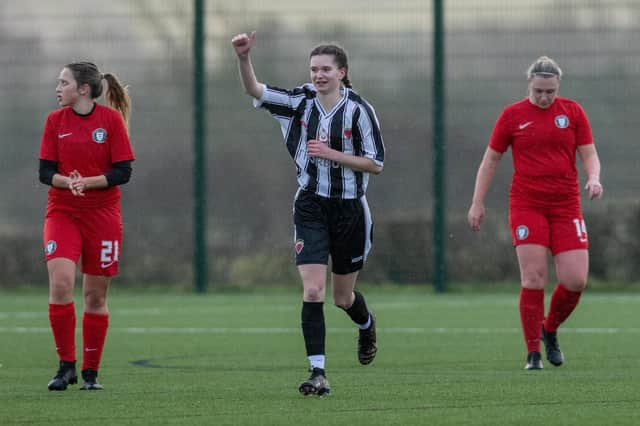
x=544, y=143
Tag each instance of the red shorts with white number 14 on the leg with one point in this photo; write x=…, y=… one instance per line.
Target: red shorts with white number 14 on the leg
x=558, y=228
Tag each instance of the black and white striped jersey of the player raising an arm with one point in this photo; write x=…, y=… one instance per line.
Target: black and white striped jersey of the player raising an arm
x=351, y=127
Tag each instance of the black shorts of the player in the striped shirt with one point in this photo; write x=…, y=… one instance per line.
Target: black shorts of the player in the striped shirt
x=331, y=226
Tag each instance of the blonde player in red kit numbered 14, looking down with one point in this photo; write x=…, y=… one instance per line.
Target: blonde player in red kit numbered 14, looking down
x=544, y=132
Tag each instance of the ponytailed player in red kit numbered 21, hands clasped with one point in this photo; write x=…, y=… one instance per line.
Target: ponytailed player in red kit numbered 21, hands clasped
x=84, y=156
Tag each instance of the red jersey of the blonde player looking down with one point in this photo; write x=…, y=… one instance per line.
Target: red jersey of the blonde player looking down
x=543, y=144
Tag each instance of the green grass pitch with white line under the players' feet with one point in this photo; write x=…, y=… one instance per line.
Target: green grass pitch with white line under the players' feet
x=237, y=359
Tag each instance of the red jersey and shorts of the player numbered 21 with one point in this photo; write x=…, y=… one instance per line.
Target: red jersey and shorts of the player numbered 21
x=89, y=144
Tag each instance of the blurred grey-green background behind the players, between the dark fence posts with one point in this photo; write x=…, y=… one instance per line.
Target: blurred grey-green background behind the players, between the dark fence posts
x=251, y=179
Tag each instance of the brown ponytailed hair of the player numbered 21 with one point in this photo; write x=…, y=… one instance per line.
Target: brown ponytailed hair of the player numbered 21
x=116, y=95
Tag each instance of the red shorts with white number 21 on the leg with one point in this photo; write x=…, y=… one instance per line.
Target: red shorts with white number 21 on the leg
x=95, y=235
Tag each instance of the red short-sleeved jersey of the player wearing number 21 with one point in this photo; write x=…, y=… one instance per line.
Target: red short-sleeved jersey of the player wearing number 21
x=89, y=144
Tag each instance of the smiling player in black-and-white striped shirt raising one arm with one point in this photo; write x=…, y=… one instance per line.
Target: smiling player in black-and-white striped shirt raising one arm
x=334, y=138
